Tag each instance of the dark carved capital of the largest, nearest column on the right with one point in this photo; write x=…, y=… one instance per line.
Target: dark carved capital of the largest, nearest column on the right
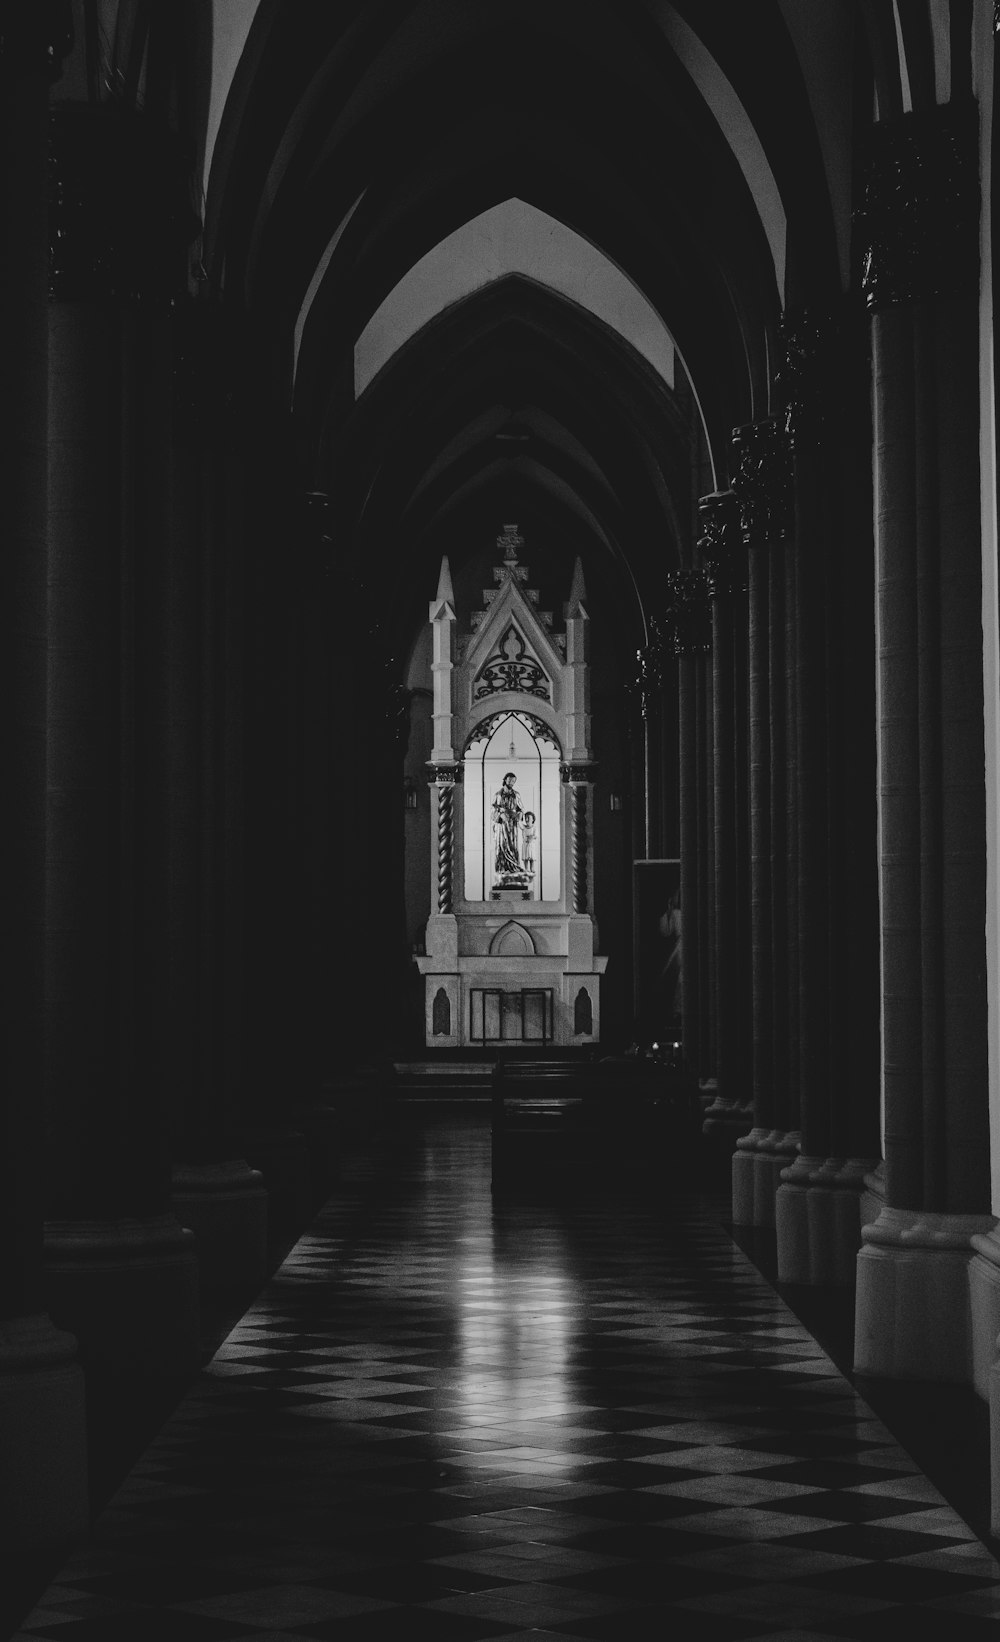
x=919, y=226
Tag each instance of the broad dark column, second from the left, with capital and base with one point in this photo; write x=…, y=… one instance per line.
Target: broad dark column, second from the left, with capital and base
x=121, y=1272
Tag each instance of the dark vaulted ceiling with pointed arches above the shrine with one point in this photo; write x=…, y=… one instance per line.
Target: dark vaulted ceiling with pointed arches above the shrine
x=528, y=260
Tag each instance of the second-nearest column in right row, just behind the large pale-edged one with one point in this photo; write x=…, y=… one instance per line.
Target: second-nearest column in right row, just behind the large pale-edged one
x=819, y=1206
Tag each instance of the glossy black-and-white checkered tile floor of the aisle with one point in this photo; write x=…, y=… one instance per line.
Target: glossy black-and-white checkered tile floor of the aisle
x=454, y=1420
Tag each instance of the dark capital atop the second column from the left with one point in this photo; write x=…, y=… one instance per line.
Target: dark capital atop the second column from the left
x=121, y=216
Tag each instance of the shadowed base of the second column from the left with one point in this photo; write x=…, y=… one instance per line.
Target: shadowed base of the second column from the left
x=129, y=1291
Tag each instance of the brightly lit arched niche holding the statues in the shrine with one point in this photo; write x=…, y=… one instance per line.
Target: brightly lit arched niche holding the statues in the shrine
x=511, y=784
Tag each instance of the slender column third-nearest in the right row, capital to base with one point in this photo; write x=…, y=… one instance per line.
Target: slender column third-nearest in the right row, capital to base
x=764, y=495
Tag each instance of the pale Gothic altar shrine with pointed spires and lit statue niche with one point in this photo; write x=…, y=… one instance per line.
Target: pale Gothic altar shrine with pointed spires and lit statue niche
x=510, y=948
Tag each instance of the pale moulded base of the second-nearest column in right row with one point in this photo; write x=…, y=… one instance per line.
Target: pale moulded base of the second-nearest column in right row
x=819, y=1221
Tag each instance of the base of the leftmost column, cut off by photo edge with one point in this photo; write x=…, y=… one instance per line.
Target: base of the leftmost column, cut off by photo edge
x=44, y=1436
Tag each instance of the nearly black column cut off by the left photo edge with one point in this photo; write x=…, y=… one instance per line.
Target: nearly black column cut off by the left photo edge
x=44, y=1474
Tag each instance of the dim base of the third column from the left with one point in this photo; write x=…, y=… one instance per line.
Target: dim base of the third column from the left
x=226, y=1206
